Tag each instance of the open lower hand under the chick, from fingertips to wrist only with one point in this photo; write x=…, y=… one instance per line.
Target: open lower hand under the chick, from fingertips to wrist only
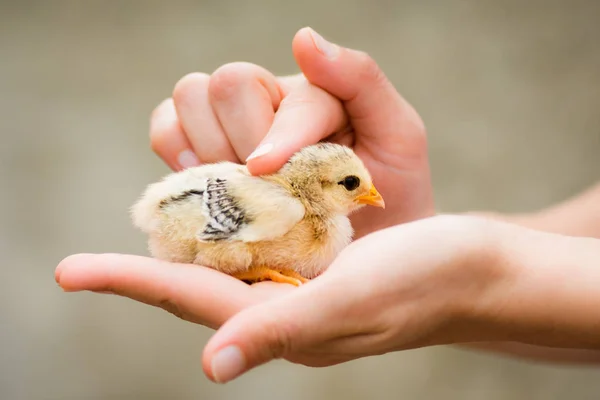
x=403, y=287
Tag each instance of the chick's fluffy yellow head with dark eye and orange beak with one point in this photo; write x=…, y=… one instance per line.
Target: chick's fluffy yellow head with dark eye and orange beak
x=331, y=178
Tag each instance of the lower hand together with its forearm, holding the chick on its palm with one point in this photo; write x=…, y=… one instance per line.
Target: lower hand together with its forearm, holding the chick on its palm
x=440, y=280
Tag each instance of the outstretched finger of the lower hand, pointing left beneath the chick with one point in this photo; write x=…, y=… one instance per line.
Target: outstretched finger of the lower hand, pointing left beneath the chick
x=194, y=293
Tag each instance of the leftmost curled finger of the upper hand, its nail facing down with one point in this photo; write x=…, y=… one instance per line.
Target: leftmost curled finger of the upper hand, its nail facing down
x=167, y=138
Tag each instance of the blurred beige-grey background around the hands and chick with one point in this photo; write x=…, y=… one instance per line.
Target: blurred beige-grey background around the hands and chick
x=509, y=91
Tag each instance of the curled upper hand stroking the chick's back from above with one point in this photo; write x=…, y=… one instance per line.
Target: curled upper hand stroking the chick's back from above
x=341, y=96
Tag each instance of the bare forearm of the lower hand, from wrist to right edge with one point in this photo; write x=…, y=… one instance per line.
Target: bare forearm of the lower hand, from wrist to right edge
x=549, y=295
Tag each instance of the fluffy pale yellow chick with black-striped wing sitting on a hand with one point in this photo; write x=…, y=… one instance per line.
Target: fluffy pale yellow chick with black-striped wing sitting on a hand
x=285, y=227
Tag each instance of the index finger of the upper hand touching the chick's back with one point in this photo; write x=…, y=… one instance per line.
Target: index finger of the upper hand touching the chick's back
x=305, y=116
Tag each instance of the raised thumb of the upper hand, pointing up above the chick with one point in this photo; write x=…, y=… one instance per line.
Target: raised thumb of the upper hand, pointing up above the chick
x=376, y=110
